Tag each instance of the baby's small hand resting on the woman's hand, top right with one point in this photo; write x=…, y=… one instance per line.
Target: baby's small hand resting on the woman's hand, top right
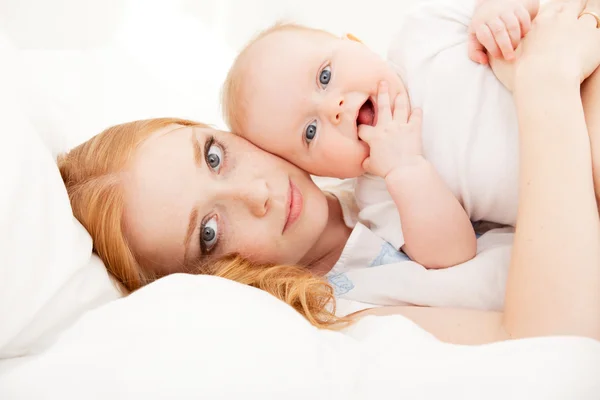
x=498, y=26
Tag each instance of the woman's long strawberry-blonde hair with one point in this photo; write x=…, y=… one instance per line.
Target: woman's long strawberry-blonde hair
x=92, y=175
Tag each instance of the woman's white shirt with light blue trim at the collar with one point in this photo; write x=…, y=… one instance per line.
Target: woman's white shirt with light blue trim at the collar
x=371, y=272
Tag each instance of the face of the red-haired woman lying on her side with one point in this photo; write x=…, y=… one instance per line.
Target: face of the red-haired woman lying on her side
x=193, y=192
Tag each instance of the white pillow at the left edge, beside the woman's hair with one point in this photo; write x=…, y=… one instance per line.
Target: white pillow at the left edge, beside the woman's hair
x=48, y=275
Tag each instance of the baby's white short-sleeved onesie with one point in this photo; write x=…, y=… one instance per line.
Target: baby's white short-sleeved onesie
x=470, y=131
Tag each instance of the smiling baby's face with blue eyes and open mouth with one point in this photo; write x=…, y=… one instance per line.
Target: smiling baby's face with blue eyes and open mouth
x=306, y=93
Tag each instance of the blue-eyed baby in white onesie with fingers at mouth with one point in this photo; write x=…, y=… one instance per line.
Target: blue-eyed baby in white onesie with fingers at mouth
x=334, y=108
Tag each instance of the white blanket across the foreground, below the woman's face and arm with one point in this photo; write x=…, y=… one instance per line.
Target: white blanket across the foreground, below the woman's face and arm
x=202, y=337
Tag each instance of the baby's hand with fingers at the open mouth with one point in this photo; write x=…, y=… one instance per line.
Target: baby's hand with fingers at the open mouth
x=395, y=141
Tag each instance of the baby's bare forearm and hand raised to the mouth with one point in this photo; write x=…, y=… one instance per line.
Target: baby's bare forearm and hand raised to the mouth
x=437, y=231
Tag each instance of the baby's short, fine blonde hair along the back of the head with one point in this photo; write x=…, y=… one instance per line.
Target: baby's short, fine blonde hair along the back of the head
x=232, y=94
